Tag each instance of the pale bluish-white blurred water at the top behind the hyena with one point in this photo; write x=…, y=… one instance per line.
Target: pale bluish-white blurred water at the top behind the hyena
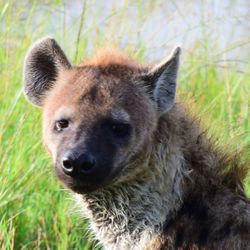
x=160, y=25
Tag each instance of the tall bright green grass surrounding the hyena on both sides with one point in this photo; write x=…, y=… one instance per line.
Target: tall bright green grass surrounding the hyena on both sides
x=35, y=211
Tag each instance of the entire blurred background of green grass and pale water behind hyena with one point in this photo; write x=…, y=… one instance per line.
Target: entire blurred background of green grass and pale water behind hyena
x=35, y=210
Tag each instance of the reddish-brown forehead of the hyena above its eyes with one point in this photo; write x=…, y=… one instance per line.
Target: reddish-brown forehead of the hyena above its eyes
x=93, y=88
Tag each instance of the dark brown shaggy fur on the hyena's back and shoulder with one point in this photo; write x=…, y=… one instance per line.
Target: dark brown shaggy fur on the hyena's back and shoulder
x=215, y=211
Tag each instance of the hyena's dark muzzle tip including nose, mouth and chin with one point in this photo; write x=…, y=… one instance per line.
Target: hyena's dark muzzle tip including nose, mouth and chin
x=84, y=171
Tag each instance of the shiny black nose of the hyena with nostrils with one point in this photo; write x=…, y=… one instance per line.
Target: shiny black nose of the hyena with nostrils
x=78, y=163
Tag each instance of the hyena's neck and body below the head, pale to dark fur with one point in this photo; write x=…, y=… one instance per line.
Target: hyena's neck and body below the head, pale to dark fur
x=182, y=202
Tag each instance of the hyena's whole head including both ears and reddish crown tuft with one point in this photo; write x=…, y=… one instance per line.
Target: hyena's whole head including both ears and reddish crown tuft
x=99, y=117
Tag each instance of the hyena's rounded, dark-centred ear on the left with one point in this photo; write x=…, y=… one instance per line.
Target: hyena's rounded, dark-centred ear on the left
x=42, y=64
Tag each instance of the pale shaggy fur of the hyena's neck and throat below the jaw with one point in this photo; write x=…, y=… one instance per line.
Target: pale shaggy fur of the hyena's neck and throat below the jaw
x=130, y=215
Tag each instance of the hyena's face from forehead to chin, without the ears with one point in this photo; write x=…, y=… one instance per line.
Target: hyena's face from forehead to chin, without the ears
x=93, y=126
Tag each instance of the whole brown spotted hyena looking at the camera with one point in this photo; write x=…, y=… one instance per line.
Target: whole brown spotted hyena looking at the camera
x=142, y=169
